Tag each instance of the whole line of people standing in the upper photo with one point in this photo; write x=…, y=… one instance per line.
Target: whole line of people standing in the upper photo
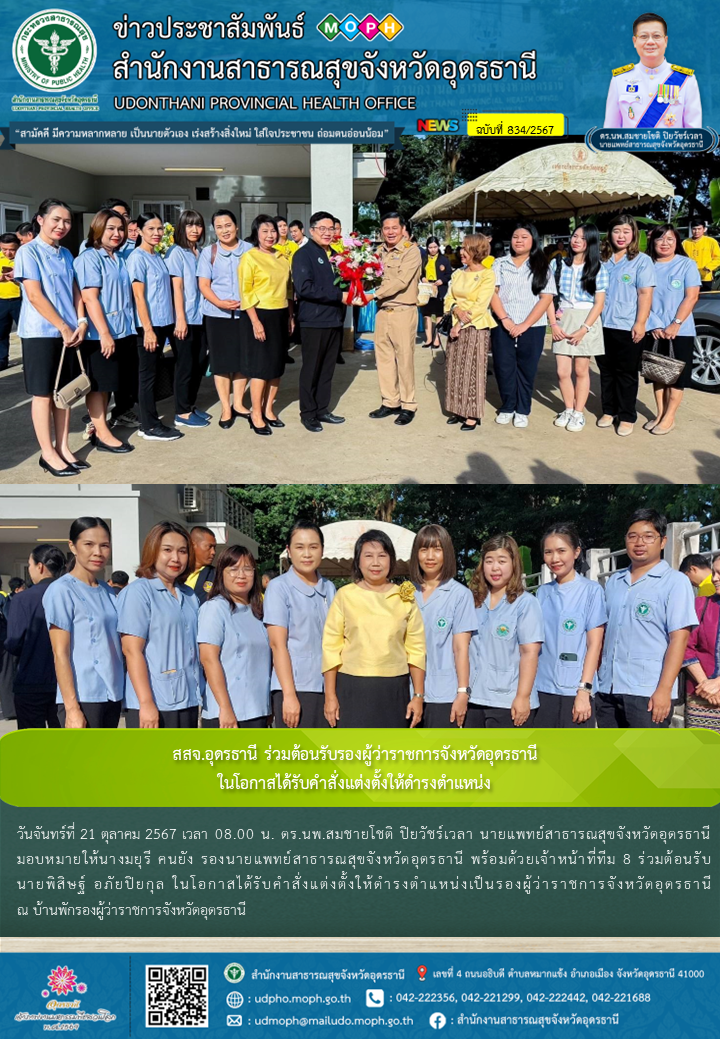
x=96, y=327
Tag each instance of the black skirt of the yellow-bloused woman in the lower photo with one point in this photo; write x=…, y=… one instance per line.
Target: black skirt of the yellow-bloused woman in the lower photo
x=376, y=703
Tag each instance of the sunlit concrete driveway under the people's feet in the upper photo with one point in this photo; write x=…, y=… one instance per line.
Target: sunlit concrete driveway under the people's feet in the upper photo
x=367, y=451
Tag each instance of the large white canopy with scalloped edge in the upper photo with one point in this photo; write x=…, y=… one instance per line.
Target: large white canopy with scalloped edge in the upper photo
x=557, y=181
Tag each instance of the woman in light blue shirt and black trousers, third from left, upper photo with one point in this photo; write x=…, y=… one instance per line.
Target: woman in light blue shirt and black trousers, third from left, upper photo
x=155, y=320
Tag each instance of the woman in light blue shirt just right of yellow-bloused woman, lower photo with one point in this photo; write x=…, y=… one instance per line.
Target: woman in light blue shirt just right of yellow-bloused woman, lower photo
x=449, y=616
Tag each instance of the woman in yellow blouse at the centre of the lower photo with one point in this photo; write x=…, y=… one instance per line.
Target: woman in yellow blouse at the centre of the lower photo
x=374, y=643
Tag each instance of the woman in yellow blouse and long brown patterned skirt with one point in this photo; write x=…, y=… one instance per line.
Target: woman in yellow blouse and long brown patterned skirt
x=469, y=301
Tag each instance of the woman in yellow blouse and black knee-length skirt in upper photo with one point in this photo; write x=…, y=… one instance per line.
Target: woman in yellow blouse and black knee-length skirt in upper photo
x=267, y=297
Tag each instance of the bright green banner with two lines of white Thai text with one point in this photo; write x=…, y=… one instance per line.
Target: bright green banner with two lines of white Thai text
x=338, y=769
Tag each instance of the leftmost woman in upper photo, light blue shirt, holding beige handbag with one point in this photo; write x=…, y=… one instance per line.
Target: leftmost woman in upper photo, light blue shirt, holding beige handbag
x=53, y=318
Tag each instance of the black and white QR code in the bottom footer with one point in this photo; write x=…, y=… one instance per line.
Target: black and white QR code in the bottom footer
x=176, y=995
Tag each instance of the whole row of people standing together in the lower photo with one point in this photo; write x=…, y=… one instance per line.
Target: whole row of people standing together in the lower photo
x=200, y=637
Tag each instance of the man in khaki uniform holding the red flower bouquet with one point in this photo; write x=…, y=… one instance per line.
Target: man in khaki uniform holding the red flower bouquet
x=397, y=323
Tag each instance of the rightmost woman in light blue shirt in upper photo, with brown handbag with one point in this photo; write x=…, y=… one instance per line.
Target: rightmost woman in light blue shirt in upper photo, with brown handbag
x=672, y=322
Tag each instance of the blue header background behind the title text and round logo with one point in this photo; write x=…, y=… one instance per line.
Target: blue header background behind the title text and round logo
x=579, y=43
